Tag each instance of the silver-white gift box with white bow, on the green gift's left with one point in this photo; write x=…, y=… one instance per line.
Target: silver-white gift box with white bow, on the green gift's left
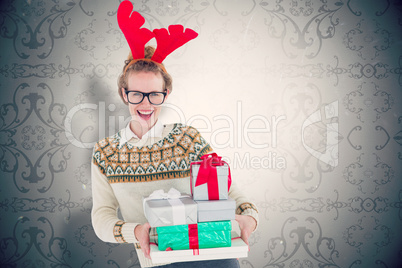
x=170, y=211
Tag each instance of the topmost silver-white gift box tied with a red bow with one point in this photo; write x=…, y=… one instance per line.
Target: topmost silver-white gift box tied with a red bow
x=210, y=178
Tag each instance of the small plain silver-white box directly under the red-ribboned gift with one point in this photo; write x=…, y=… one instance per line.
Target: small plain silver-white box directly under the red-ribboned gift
x=216, y=210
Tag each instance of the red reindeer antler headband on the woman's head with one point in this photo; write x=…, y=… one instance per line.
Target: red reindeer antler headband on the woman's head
x=137, y=37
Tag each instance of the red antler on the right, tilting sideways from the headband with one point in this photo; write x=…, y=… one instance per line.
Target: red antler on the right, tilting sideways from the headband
x=167, y=43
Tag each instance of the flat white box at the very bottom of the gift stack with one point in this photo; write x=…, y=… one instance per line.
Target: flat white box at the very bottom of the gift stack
x=238, y=249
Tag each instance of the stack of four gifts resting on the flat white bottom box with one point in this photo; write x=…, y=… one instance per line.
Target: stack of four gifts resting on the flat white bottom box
x=202, y=220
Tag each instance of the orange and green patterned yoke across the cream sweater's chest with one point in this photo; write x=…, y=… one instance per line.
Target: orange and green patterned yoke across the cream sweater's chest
x=168, y=158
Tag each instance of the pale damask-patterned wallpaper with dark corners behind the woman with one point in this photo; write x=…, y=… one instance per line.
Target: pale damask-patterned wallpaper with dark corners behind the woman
x=302, y=97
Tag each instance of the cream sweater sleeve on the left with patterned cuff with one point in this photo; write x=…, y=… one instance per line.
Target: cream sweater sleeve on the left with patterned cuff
x=107, y=226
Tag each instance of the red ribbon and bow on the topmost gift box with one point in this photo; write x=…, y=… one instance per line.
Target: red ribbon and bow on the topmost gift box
x=208, y=174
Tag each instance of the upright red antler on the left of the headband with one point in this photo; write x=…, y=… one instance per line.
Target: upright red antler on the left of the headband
x=130, y=25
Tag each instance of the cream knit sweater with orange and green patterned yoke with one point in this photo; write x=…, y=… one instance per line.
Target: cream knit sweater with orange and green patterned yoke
x=125, y=172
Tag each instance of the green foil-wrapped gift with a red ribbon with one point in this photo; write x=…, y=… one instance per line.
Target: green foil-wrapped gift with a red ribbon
x=215, y=234
